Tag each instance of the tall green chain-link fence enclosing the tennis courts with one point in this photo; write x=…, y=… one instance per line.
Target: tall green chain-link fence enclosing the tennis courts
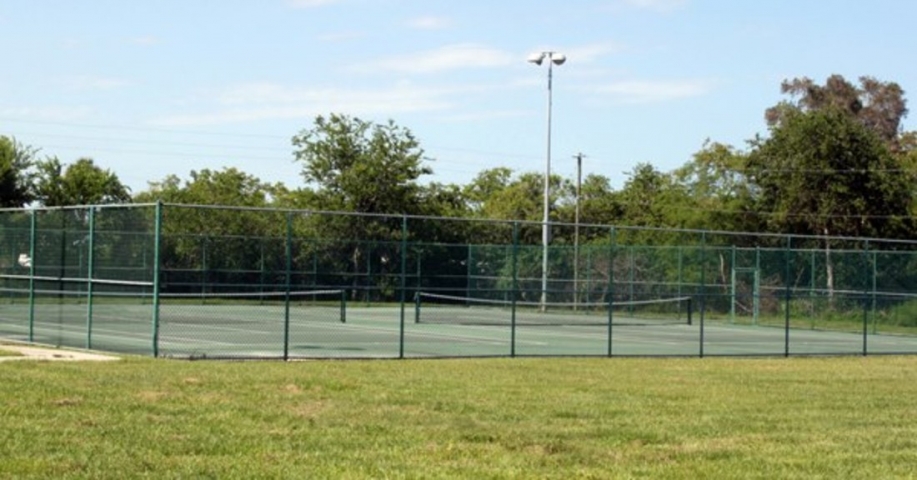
x=220, y=282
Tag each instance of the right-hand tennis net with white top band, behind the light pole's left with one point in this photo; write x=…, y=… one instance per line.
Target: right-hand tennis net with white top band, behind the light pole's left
x=447, y=309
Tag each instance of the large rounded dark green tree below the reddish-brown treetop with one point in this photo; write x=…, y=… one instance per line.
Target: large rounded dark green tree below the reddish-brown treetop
x=824, y=173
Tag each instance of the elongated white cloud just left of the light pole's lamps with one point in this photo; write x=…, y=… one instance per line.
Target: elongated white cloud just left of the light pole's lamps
x=451, y=57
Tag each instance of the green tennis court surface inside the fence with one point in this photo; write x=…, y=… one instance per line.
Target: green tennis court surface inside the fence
x=317, y=331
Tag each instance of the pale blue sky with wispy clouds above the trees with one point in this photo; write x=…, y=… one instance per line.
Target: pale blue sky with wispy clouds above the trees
x=151, y=88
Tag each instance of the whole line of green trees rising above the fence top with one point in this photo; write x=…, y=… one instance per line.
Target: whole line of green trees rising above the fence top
x=835, y=162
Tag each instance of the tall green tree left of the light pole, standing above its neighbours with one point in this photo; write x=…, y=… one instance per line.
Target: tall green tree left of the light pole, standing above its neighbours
x=360, y=167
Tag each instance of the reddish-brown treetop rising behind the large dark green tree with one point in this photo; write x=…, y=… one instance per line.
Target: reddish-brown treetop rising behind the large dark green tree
x=879, y=106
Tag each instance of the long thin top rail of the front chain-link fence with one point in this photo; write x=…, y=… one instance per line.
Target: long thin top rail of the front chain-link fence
x=407, y=217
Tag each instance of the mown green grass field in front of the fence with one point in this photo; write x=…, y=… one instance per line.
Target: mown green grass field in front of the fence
x=493, y=418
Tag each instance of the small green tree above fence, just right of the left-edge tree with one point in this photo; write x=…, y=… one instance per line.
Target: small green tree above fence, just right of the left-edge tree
x=81, y=183
